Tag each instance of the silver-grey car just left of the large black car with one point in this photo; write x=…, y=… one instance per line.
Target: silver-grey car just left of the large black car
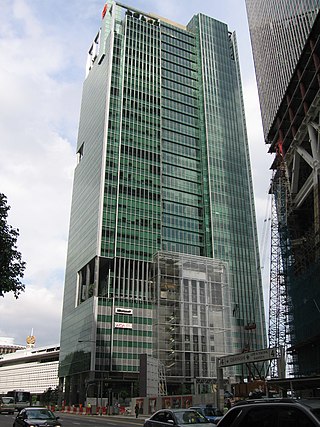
x=177, y=417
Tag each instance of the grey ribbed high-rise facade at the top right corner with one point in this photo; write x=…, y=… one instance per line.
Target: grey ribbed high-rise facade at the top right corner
x=279, y=30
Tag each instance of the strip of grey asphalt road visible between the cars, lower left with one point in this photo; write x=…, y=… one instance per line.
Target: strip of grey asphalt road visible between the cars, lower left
x=70, y=420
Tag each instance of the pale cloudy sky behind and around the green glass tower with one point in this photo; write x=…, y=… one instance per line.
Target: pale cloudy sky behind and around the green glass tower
x=43, y=45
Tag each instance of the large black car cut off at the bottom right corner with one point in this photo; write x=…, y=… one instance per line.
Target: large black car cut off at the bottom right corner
x=273, y=413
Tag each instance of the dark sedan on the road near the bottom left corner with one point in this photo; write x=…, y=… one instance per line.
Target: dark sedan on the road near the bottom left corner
x=36, y=417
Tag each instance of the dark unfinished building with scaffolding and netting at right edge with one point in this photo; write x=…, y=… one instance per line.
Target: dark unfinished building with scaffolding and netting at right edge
x=294, y=138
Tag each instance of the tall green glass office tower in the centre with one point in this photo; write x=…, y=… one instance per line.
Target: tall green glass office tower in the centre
x=163, y=254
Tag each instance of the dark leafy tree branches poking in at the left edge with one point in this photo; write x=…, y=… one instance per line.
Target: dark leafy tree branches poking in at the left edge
x=11, y=265
